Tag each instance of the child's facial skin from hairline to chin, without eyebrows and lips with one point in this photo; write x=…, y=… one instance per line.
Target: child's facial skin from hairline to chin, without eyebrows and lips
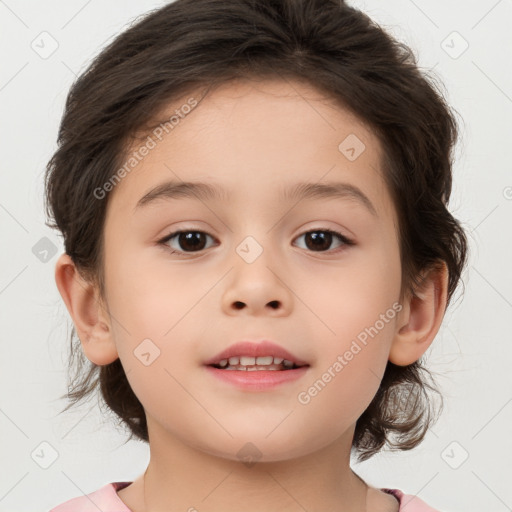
x=312, y=298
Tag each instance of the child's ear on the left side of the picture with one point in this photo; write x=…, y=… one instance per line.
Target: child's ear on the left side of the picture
x=89, y=315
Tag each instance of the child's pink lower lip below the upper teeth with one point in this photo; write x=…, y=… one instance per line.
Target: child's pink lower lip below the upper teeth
x=257, y=380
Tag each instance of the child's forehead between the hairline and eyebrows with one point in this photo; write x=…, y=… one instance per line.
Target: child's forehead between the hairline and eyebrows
x=253, y=137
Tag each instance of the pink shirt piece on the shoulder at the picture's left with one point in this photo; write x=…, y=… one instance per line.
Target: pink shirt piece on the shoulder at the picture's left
x=104, y=499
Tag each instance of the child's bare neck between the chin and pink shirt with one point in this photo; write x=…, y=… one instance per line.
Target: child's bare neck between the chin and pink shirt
x=180, y=477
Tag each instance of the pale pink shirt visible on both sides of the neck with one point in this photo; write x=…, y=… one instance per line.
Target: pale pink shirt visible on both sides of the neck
x=106, y=499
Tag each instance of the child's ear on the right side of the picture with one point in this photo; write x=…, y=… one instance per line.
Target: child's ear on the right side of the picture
x=421, y=317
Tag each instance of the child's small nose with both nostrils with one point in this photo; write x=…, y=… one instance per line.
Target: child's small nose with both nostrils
x=257, y=289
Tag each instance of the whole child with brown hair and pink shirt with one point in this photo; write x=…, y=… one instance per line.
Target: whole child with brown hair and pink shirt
x=256, y=362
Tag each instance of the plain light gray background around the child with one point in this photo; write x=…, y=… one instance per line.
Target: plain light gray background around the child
x=471, y=354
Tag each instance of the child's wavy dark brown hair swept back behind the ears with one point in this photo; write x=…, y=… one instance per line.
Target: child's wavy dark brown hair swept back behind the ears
x=190, y=44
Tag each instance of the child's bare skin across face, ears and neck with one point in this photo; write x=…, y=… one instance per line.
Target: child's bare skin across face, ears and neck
x=253, y=138
